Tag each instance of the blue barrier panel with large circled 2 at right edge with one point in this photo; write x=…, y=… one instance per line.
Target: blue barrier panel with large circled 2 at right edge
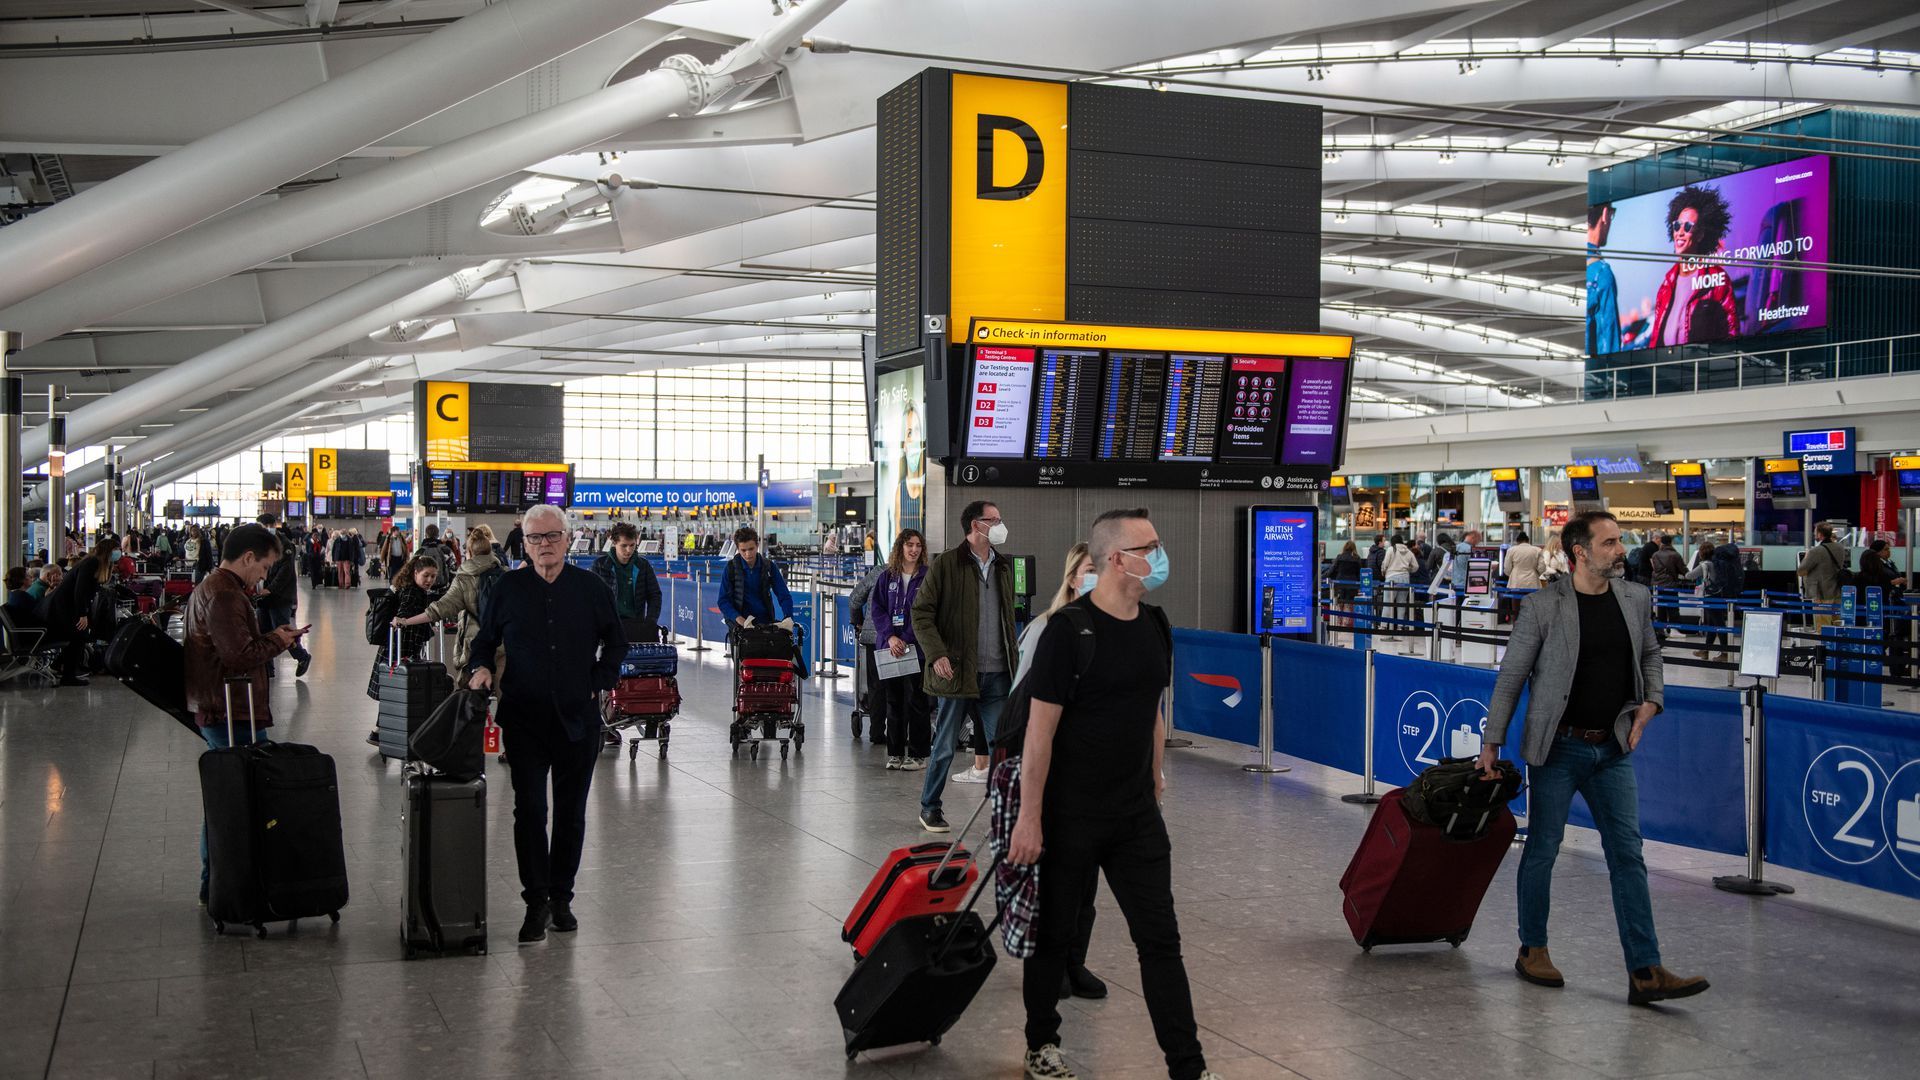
x=1844, y=795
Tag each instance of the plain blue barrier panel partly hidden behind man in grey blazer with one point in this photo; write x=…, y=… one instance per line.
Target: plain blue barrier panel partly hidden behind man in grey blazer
x=1692, y=787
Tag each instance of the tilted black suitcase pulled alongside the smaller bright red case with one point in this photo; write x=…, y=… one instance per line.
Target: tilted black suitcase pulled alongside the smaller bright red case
x=919, y=981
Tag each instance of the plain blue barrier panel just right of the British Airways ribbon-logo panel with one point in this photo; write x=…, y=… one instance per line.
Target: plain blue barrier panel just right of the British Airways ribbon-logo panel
x=1318, y=700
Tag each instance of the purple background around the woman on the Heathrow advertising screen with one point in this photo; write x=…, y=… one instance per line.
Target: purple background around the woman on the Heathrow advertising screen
x=1779, y=220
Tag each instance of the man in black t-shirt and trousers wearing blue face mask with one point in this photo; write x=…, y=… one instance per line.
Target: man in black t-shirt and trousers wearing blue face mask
x=1090, y=795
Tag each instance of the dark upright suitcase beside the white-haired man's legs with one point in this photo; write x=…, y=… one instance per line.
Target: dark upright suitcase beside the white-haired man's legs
x=443, y=889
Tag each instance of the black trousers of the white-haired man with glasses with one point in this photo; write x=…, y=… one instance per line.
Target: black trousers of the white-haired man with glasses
x=539, y=749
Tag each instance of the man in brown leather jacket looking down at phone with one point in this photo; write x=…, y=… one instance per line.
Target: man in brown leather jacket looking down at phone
x=226, y=641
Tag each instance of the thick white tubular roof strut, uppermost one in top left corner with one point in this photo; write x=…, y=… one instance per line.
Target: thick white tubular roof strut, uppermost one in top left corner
x=300, y=135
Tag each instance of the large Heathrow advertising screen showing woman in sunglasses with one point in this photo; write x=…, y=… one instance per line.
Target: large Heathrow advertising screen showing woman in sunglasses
x=1710, y=262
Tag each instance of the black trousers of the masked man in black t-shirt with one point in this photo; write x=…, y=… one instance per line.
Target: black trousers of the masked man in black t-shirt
x=1138, y=860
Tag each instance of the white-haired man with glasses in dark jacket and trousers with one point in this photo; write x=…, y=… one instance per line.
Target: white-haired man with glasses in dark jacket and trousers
x=564, y=645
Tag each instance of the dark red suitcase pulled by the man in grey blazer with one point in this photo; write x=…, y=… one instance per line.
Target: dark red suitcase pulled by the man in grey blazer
x=1408, y=883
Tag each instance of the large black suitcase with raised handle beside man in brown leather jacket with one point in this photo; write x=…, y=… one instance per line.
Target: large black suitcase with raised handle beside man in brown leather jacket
x=274, y=833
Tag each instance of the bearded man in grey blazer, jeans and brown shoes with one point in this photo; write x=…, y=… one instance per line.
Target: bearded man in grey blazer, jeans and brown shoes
x=1585, y=649
